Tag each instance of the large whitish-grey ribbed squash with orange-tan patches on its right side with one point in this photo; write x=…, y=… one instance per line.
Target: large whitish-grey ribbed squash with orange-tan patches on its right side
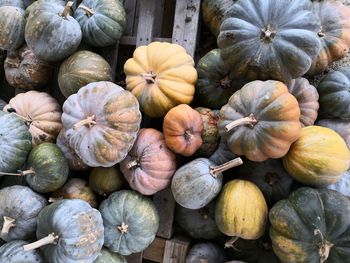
x=101, y=123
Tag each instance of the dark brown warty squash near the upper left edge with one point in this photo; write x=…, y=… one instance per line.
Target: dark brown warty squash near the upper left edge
x=24, y=70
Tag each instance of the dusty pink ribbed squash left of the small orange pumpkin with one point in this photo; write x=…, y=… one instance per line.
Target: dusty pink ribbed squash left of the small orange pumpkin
x=150, y=164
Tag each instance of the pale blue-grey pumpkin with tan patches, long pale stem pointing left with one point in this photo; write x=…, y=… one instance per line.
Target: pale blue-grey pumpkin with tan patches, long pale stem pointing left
x=69, y=231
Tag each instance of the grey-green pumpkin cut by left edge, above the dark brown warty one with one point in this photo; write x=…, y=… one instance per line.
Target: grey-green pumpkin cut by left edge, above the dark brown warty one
x=12, y=23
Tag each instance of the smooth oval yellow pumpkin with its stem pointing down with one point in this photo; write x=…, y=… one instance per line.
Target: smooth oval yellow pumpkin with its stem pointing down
x=241, y=211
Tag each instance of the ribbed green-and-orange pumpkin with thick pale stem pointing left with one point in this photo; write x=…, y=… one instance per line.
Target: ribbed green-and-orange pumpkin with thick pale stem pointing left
x=261, y=120
